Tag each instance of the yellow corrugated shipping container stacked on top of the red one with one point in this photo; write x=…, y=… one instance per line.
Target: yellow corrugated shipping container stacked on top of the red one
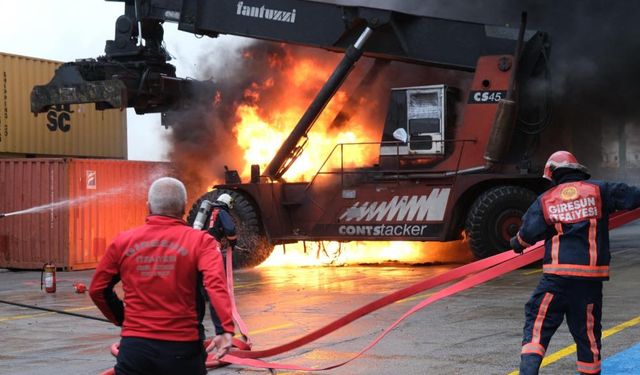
x=75, y=130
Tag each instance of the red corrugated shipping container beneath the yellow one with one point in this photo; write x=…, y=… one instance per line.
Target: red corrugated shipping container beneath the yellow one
x=77, y=207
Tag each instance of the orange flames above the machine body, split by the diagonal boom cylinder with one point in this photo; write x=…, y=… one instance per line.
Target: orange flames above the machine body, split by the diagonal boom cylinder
x=273, y=106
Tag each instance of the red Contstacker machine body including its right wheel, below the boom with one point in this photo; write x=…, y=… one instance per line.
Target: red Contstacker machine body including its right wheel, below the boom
x=408, y=195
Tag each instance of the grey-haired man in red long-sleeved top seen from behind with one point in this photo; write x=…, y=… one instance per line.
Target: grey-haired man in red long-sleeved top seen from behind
x=161, y=265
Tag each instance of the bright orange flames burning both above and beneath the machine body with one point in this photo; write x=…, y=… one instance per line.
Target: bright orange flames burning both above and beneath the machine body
x=261, y=128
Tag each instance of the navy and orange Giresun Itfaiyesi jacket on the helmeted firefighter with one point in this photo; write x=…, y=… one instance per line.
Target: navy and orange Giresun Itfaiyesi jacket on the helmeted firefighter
x=573, y=218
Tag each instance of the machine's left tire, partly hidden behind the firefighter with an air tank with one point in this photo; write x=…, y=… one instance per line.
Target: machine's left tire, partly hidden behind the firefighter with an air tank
x=253, y=246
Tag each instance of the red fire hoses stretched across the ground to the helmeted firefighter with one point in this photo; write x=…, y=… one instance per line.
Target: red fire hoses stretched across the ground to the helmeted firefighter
x=472, y=274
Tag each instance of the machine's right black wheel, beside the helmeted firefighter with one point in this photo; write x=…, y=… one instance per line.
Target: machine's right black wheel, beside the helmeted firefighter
x=495, y=217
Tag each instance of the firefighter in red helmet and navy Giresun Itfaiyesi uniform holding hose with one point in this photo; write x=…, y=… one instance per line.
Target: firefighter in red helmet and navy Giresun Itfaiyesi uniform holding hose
x=572, y=218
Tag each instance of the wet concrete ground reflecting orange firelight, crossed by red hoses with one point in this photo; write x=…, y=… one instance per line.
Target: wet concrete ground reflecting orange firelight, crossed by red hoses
x=475, y=332
